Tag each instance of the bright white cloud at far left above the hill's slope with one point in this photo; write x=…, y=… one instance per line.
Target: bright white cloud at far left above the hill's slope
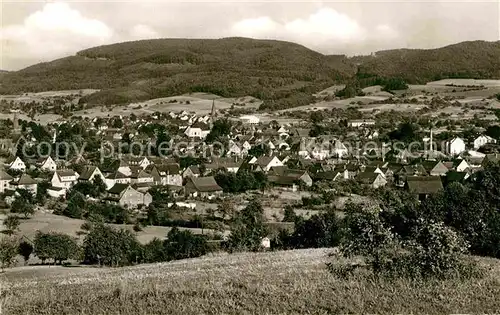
x=54, y=31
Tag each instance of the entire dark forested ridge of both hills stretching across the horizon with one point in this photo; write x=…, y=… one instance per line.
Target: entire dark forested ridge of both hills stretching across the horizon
x=282, y=73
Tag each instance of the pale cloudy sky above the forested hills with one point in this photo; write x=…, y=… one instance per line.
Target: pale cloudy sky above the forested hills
x=39, y=31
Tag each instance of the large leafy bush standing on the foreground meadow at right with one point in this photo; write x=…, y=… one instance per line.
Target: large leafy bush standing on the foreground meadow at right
x=435, y=251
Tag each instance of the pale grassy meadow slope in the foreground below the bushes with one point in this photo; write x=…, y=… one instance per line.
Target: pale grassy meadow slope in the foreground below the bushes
x=288, y=282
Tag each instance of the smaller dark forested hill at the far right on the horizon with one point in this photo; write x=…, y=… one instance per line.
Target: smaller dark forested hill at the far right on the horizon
x=475, y=60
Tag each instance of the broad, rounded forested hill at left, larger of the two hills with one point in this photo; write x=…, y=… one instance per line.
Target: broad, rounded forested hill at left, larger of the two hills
x=155, y=68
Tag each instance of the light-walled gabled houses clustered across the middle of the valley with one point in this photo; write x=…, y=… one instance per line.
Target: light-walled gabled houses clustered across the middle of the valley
x=324, y=158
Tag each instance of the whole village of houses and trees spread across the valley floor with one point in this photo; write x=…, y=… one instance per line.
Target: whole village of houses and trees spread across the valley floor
x=203, y=161
